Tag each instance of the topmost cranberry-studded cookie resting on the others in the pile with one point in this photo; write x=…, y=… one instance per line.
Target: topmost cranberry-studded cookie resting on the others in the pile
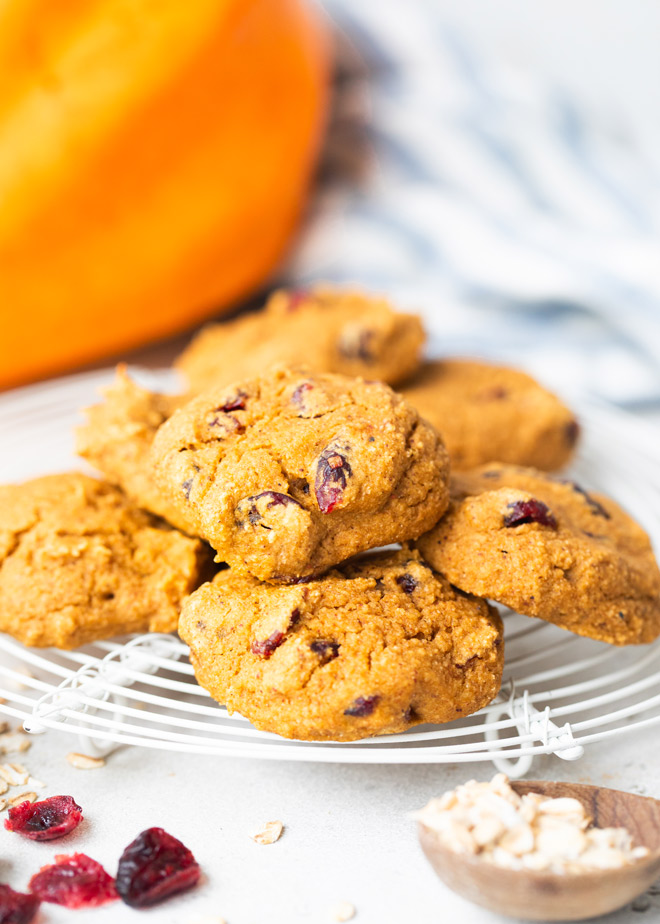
x=288, y=474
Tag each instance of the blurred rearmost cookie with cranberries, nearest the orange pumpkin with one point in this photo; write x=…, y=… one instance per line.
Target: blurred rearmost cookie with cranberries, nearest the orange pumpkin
x=329, y=330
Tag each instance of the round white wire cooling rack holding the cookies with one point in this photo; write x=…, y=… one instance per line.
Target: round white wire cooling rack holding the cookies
x=560, y=692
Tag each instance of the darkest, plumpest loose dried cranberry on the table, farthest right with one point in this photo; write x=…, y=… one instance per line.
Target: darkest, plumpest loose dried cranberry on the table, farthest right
x=154, y=866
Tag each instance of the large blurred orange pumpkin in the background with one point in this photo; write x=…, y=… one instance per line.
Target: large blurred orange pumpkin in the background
x=154, y=159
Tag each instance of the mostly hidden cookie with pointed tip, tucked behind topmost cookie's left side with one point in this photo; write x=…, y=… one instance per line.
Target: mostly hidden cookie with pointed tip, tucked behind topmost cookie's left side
x=117, y=437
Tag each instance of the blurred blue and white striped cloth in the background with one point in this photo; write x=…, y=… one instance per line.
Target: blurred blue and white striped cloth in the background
x=517, y=223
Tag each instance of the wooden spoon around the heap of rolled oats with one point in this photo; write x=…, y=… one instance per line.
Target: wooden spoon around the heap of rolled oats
x=543, y=896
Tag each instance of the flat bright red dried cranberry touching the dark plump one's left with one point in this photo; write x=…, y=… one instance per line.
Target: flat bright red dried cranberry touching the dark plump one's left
x=75, y=881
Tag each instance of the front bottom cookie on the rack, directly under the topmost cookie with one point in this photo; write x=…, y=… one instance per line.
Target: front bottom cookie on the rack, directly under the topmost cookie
x=374, y=647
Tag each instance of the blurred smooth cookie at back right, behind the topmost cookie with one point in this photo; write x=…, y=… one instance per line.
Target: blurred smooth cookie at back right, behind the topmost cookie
x=489, y=413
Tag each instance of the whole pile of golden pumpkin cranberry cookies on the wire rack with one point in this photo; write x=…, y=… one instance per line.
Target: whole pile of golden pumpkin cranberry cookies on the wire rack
x=292, y=462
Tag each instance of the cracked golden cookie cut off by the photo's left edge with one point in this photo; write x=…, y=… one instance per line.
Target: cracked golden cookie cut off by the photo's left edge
x=80, y=563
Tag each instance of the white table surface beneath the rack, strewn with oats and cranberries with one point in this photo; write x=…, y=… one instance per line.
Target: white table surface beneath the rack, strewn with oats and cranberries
x=348, y=837
